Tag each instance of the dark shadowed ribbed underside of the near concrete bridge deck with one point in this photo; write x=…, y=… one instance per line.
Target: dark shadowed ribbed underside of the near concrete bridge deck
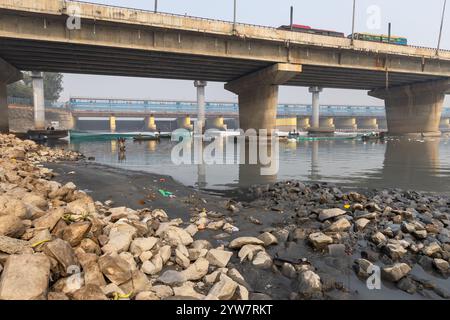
x=86, y=59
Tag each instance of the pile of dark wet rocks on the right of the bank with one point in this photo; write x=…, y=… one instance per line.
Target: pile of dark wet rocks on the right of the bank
x=393, y=229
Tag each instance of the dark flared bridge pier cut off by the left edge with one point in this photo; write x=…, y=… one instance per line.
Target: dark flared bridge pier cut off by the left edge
x=8, y=74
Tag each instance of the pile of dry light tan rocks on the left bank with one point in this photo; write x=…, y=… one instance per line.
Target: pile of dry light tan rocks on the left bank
x=57, y=243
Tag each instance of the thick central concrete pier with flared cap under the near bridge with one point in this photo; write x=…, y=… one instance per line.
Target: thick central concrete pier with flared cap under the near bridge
x=258, y=95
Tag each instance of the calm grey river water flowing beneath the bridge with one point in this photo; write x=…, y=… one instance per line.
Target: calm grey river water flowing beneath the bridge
x=415, y=164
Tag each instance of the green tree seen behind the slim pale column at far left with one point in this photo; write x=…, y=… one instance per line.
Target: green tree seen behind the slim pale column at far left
x=53, y=86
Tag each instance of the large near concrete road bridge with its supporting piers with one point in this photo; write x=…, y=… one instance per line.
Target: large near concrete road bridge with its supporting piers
x=253, y=61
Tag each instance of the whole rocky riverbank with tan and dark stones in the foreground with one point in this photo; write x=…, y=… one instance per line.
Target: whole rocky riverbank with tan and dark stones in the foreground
x=284, y=241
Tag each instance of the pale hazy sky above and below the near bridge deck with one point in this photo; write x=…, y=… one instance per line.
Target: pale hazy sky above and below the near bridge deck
x=418, y=20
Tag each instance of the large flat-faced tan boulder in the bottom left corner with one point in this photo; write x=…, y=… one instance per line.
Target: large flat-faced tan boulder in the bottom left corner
x=25, y=277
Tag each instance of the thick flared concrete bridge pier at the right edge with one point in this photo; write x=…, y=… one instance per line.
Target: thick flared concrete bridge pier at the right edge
x=414, y=109
